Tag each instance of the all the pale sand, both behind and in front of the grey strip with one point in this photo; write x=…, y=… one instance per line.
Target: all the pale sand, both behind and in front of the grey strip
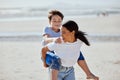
x=20, y=60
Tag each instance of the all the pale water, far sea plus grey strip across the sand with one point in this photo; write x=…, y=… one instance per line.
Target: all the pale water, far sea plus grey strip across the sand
x=19, y=10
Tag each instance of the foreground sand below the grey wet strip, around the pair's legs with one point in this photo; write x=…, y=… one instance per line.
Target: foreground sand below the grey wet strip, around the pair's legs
x=21, y=61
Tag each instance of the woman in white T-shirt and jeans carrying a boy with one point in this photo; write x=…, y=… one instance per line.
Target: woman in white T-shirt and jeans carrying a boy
x=67, y=51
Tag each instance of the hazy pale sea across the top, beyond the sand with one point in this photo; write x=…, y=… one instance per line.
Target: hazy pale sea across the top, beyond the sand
x=32, y=9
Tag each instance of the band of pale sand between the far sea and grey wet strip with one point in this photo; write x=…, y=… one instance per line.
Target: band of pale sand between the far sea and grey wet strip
x=96, y=25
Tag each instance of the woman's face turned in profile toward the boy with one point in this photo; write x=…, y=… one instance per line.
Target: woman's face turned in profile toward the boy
x=67, y=36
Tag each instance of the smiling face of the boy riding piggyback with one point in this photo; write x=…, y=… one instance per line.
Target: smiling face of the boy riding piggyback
x=56, y=22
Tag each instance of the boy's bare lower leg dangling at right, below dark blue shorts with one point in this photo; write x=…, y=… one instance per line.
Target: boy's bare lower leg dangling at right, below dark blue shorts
x=82, y=63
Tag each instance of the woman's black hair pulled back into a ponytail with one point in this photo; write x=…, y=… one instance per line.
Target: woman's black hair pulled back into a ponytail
x=72, y=26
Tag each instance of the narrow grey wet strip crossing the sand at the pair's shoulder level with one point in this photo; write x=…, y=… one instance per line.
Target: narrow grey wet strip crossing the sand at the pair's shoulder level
x=36, y=36
